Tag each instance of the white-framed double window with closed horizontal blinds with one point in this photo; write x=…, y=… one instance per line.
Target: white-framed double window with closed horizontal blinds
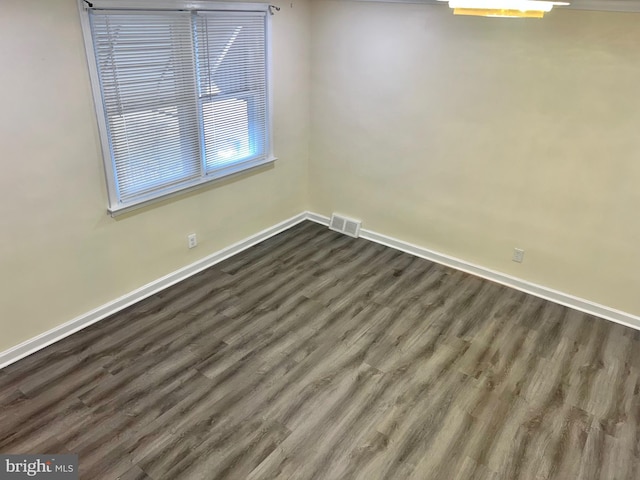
x=181, y=96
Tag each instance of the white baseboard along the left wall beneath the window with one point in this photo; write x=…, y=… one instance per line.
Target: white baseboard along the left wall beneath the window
x=58, y=333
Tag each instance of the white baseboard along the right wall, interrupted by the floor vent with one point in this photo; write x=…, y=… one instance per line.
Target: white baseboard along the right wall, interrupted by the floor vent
x=555, y=296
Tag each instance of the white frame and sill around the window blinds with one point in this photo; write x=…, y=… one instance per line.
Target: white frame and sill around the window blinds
x=115, y=207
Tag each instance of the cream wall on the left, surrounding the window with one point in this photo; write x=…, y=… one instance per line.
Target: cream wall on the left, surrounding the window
x=61, y=255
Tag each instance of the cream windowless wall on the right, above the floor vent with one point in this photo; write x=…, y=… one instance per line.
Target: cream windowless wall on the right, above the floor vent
x=472, y=136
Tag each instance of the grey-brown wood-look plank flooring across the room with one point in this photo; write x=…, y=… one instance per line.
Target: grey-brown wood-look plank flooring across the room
x=317, y=356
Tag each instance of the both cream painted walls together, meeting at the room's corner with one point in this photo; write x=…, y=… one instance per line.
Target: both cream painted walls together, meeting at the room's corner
x=469, y=136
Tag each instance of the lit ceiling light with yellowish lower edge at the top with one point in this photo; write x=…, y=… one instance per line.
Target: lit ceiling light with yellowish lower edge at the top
x=503, y=8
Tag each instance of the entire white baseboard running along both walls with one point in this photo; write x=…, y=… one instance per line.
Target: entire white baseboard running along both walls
x=58, y=333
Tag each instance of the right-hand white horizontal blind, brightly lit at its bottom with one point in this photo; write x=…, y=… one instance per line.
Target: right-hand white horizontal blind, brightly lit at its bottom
x=231, y=59
